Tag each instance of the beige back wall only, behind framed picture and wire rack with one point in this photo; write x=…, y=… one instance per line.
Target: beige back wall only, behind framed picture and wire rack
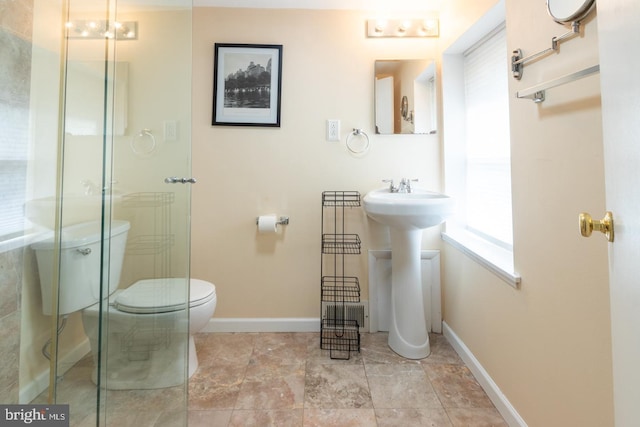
x=245, y=172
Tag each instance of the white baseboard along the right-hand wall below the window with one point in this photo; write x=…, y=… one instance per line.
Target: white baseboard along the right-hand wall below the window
x=500, y=401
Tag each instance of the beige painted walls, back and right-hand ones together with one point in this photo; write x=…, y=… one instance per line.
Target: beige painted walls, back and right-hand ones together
x=546, y=344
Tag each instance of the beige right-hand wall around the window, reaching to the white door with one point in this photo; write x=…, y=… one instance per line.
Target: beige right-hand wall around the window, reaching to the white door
x=547, y=344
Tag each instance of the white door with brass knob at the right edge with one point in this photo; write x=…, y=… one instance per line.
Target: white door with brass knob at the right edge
x=620, y=70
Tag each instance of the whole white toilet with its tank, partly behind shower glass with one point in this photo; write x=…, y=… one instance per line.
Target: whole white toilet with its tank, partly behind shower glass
x=146, y=323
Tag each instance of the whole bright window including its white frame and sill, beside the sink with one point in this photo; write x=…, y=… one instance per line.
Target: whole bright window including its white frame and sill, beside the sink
x=477, y=145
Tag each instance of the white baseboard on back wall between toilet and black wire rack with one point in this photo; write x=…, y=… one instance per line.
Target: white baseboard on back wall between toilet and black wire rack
x=293, y=324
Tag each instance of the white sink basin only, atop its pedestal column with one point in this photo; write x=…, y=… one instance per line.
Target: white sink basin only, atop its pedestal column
x=416, y=210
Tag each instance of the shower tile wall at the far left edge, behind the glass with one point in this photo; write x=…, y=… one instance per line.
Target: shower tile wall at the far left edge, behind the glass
x=16, y=18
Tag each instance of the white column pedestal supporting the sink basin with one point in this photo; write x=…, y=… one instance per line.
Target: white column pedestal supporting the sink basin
x=407, y=328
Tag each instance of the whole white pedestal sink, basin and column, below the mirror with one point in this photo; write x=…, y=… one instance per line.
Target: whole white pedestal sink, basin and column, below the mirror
x=407, y=214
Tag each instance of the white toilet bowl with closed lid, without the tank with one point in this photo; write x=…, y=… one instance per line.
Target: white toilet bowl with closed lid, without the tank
x=146, y=332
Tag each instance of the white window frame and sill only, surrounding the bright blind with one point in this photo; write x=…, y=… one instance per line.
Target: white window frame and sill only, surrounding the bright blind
x=495, y=257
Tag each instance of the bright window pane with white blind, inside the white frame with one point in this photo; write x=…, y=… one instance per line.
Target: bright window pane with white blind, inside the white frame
x=488, y=168
